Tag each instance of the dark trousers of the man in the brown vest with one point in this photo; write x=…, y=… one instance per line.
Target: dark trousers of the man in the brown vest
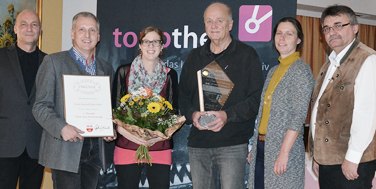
x=331, y=177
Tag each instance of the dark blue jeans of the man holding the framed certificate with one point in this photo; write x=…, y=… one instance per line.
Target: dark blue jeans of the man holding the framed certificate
x=88, y=171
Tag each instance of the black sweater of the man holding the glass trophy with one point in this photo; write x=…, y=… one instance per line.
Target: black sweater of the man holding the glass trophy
x=242, y=65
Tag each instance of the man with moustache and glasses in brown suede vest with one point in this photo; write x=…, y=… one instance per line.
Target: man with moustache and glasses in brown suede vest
x=342, y=134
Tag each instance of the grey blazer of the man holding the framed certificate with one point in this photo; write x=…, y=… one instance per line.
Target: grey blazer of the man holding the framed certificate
x=48, y=110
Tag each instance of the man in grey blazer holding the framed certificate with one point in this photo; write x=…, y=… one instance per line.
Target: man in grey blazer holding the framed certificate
x=75, y=161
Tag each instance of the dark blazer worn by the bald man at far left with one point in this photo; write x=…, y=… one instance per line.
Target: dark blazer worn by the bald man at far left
x=18, y=128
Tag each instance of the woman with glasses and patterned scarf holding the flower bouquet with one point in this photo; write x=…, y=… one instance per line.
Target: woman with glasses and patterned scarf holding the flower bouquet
x=146, y=71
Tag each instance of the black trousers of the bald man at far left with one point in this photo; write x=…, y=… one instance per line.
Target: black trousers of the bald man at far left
x=23, y=167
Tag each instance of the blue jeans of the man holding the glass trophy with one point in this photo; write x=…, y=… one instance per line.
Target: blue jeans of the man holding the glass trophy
x=229, y=162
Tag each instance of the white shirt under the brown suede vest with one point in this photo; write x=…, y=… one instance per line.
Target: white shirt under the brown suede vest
x=363, y=124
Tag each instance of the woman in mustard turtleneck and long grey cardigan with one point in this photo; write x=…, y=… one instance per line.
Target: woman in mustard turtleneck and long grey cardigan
x=277, y=156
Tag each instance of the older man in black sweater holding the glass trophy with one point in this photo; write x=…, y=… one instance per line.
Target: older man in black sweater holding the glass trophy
x=233, y=97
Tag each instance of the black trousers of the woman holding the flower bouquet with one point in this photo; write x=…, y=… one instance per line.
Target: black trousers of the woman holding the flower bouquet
x=128, y=176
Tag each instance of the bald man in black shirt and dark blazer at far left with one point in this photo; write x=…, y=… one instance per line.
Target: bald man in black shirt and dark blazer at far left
x=20, y=134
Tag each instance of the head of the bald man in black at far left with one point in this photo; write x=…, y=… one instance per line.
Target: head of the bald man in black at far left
x=28, y=29
